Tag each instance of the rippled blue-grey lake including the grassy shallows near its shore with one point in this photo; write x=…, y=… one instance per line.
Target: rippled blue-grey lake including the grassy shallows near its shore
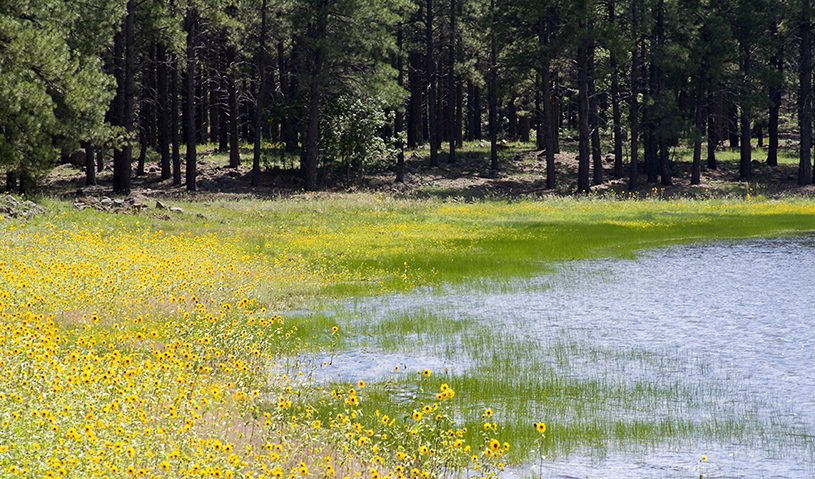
x=712, y=342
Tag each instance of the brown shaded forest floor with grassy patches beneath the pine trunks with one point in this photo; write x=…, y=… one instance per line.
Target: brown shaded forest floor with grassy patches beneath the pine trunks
x=522, y=173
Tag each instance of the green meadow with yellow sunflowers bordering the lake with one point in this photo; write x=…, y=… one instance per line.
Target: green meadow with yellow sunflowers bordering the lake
x=139, y=346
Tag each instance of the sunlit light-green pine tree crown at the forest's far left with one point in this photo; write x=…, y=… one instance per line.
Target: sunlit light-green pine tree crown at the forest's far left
x=55, y=91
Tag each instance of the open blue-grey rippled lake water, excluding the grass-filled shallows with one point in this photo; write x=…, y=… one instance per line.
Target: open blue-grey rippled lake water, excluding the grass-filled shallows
x=737, y=317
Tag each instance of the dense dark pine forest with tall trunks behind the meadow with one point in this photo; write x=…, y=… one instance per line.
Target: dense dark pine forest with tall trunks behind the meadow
x=339, y=85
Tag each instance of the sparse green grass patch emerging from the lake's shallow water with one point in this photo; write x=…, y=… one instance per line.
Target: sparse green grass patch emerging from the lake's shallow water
x=595, y=399
